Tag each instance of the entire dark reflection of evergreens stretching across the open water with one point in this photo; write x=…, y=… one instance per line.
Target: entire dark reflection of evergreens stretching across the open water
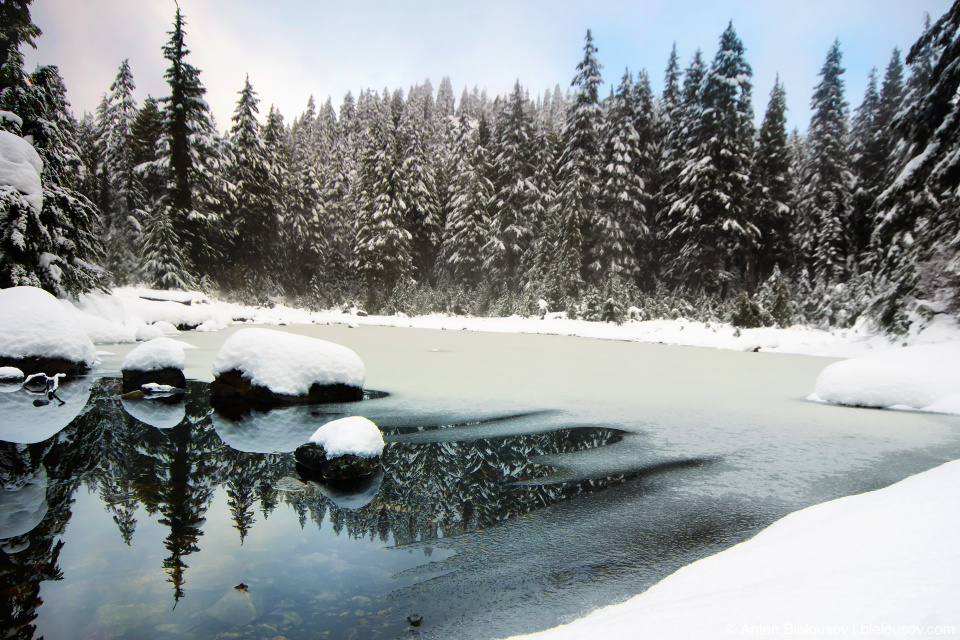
x=428, y=490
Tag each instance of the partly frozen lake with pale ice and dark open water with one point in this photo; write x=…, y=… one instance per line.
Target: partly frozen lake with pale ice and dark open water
x=659, y=455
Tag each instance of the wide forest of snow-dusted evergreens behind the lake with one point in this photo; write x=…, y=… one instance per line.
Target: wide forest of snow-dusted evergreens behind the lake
x=675, y=204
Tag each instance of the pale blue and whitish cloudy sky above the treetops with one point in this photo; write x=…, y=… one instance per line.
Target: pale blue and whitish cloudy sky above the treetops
x=295, y=48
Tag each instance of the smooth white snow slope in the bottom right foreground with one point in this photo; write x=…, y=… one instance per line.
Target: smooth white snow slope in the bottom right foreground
x=877, y=565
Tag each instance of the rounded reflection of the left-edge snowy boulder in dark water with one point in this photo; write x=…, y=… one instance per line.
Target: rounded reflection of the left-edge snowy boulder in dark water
x=24, y=423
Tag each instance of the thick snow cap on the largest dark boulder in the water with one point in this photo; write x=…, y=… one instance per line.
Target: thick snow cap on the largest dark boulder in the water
x=288, y=363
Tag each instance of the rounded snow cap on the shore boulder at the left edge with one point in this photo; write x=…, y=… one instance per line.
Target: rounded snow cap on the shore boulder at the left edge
x=34, y=323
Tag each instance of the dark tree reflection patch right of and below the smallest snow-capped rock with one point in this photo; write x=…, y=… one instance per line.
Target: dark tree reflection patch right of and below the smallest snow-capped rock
x=443, y=489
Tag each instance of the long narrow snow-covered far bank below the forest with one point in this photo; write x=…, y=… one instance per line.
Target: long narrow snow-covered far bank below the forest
x=129, y=314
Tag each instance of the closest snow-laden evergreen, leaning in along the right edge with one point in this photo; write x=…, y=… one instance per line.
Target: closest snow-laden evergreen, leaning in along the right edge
x=917, y=237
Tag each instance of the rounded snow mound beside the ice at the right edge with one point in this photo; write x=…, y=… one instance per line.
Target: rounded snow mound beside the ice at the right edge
x=924, y=377
